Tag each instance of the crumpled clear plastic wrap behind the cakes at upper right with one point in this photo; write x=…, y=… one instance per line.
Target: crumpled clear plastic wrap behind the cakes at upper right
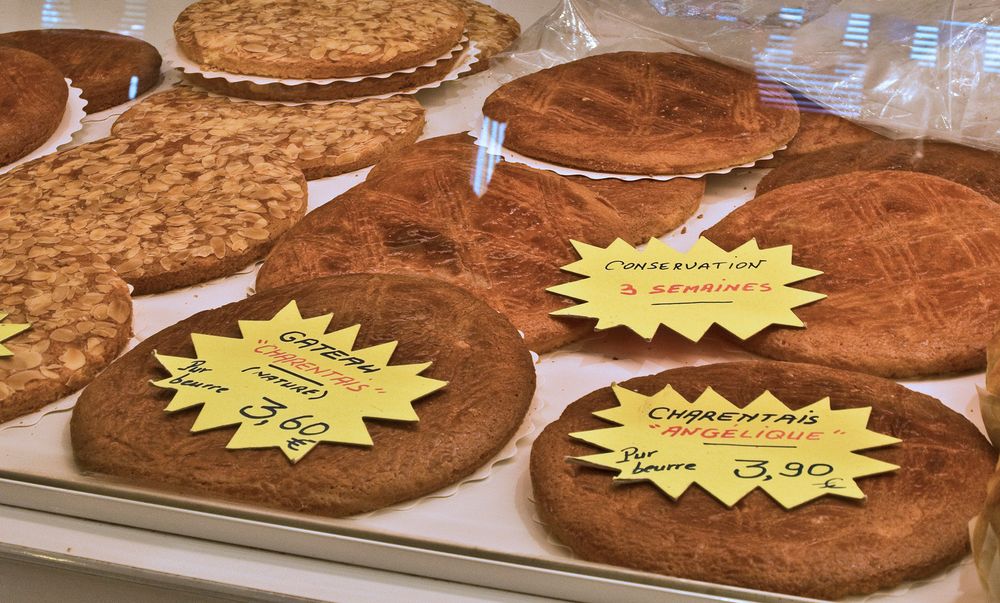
x=905, y=68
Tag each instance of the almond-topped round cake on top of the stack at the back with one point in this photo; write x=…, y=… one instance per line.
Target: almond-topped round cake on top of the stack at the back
x=316, y=39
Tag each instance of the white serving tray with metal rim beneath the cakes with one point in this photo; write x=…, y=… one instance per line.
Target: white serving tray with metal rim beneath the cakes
x=484, y=533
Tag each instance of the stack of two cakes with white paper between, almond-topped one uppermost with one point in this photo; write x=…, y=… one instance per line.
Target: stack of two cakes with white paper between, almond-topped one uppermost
x=320, y=50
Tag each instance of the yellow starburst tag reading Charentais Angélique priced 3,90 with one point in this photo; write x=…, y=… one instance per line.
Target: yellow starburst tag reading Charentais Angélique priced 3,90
x=793, y=455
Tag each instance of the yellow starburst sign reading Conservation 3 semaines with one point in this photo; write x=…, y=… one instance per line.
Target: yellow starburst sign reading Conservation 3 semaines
x=743, y=291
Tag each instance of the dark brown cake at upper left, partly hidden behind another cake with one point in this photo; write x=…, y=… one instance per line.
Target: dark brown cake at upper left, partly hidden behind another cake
x=109, y=68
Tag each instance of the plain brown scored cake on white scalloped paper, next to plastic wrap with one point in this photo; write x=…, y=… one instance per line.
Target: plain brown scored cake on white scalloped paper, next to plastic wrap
x=641, y=113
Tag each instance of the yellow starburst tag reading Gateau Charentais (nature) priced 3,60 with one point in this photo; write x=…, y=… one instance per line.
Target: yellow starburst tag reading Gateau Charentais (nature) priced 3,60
x=289, y=384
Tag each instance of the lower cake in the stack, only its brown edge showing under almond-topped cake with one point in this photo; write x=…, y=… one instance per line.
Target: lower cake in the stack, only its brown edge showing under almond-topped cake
x=374, y=86
